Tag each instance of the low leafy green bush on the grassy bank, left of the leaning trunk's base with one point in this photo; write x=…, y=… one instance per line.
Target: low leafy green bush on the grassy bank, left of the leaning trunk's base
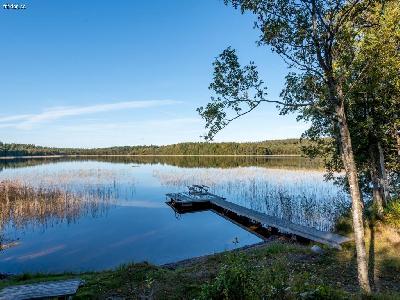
x=240, y=278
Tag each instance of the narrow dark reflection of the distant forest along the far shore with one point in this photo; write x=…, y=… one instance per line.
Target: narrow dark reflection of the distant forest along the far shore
x=179, y=161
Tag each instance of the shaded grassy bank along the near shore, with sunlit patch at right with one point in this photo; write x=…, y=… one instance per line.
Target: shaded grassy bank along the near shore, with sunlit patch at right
x=279, y=269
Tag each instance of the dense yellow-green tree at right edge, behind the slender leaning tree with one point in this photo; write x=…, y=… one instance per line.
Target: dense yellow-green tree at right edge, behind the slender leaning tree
x=376, y=100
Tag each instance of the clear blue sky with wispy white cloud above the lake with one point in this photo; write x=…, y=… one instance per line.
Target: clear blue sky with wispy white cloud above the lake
x=100, y=73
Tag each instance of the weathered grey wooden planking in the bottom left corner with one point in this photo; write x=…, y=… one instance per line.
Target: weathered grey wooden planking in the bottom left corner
x=41, y=290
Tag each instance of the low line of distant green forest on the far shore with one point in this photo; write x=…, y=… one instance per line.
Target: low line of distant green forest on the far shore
x=272, y=147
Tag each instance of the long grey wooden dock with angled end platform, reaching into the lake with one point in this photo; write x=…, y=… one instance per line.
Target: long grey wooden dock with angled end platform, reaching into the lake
x=219, y=204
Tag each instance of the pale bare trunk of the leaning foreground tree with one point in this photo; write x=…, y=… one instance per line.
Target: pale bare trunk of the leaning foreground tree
x=357, y=204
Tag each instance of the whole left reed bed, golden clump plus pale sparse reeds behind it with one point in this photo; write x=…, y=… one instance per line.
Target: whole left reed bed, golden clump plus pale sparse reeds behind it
x=40, y=198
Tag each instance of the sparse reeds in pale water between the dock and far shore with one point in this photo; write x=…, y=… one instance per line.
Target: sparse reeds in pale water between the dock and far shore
x=302, y=197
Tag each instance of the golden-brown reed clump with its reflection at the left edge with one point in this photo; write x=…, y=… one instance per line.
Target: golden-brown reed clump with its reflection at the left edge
x=23, y=205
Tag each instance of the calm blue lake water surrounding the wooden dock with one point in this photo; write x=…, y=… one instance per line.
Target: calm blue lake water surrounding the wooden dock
x=119, y=213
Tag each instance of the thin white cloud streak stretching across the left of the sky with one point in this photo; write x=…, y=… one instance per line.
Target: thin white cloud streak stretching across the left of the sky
x=27, y=121
